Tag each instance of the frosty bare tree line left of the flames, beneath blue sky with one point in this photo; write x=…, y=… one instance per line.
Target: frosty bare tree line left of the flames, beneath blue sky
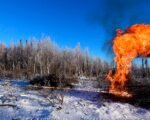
x=44, y=57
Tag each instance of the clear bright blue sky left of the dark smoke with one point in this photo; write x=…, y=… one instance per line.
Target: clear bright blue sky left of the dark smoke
x=67, y=22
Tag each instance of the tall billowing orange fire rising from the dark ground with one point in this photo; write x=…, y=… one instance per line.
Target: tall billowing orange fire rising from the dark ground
x=127, y=45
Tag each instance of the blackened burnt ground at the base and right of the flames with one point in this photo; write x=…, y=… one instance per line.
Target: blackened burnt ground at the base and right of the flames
x=140, y=96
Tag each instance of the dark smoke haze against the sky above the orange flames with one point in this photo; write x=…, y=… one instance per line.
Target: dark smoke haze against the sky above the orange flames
x=114, y=14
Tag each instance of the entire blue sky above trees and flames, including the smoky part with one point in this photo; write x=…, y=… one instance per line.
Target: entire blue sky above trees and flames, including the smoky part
x=69, y=22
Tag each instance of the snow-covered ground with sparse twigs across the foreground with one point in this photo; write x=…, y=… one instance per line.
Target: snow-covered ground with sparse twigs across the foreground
x=84, y=102
